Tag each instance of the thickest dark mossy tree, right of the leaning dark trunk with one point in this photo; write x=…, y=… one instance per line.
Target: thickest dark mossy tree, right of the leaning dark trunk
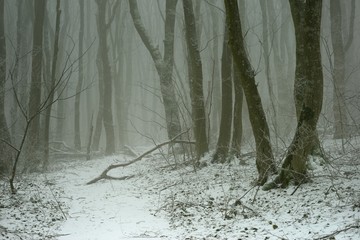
x=307, y=21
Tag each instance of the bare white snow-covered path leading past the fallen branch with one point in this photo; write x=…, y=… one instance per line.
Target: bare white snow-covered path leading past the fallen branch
x=106, y=209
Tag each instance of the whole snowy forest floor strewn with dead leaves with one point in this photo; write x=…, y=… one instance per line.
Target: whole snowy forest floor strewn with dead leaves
x=169, y=200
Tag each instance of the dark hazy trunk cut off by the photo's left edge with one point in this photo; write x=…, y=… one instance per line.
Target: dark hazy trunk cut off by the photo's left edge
x=5, y=156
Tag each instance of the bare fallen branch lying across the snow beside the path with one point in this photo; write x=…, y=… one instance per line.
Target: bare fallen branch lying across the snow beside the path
x=104, y=175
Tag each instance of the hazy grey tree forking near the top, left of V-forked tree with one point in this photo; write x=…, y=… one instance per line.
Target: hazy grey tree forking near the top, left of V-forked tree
x=105, y=74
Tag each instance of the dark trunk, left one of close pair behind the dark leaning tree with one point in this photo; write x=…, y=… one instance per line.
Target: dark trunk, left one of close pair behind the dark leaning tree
x=223, y=143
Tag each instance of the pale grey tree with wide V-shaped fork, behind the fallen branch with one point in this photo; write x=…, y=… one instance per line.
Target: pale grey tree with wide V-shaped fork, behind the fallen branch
x=164, y=65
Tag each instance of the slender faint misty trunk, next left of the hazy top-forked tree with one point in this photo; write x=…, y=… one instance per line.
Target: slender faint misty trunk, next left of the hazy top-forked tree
x=77, y=137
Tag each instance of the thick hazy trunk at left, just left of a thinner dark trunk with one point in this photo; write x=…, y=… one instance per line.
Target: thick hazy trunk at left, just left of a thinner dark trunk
x=33, y=138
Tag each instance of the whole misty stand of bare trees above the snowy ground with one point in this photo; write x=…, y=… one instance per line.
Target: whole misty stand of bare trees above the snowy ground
x=91, y=78
